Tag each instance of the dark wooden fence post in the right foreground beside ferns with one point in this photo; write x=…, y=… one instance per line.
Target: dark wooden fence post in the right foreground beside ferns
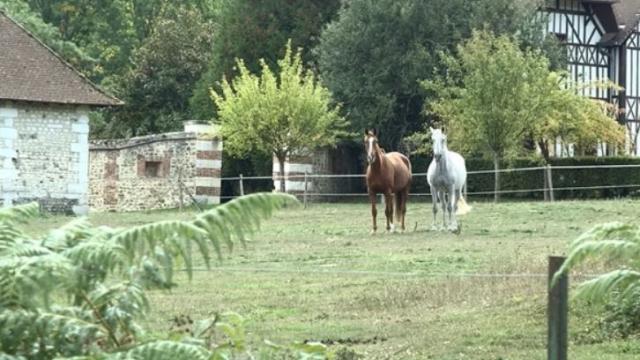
x=557, y=312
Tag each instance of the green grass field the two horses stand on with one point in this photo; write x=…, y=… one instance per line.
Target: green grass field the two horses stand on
x=317, y=274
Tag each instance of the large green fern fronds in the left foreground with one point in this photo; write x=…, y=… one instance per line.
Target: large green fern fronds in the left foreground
x=80, y=290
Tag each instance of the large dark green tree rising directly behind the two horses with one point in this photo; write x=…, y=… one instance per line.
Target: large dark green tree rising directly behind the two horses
x=373, y=56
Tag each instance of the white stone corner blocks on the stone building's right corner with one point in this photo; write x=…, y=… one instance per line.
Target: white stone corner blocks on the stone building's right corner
x=79, y=188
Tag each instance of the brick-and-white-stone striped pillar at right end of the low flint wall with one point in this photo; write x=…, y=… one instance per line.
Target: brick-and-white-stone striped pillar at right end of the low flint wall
x=208, y=162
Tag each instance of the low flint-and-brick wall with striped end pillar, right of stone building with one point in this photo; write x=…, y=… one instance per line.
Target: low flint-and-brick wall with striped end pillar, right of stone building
x=156, y=171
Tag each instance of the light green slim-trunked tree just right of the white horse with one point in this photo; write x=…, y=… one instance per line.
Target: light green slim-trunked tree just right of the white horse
x=487, y=99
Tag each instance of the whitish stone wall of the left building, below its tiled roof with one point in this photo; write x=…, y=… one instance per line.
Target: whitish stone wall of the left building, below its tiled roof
x=44, y=155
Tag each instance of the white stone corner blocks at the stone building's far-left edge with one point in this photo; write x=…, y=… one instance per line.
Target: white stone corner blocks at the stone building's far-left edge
x=8, y=137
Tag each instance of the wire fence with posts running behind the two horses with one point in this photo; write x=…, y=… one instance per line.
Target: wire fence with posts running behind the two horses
x=548, y=182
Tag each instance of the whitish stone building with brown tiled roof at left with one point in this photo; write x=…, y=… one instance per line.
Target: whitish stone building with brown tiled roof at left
x=44, y=124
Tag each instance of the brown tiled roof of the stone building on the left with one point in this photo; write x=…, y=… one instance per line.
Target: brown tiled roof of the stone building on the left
x=30, y=71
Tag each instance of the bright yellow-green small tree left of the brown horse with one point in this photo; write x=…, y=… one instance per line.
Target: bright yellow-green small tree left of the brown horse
x=284, y=114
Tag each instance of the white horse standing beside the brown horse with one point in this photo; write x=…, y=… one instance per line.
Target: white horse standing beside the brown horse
x=447, y=175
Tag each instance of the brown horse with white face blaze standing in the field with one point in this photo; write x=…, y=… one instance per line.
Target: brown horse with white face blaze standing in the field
x=389, y=174
